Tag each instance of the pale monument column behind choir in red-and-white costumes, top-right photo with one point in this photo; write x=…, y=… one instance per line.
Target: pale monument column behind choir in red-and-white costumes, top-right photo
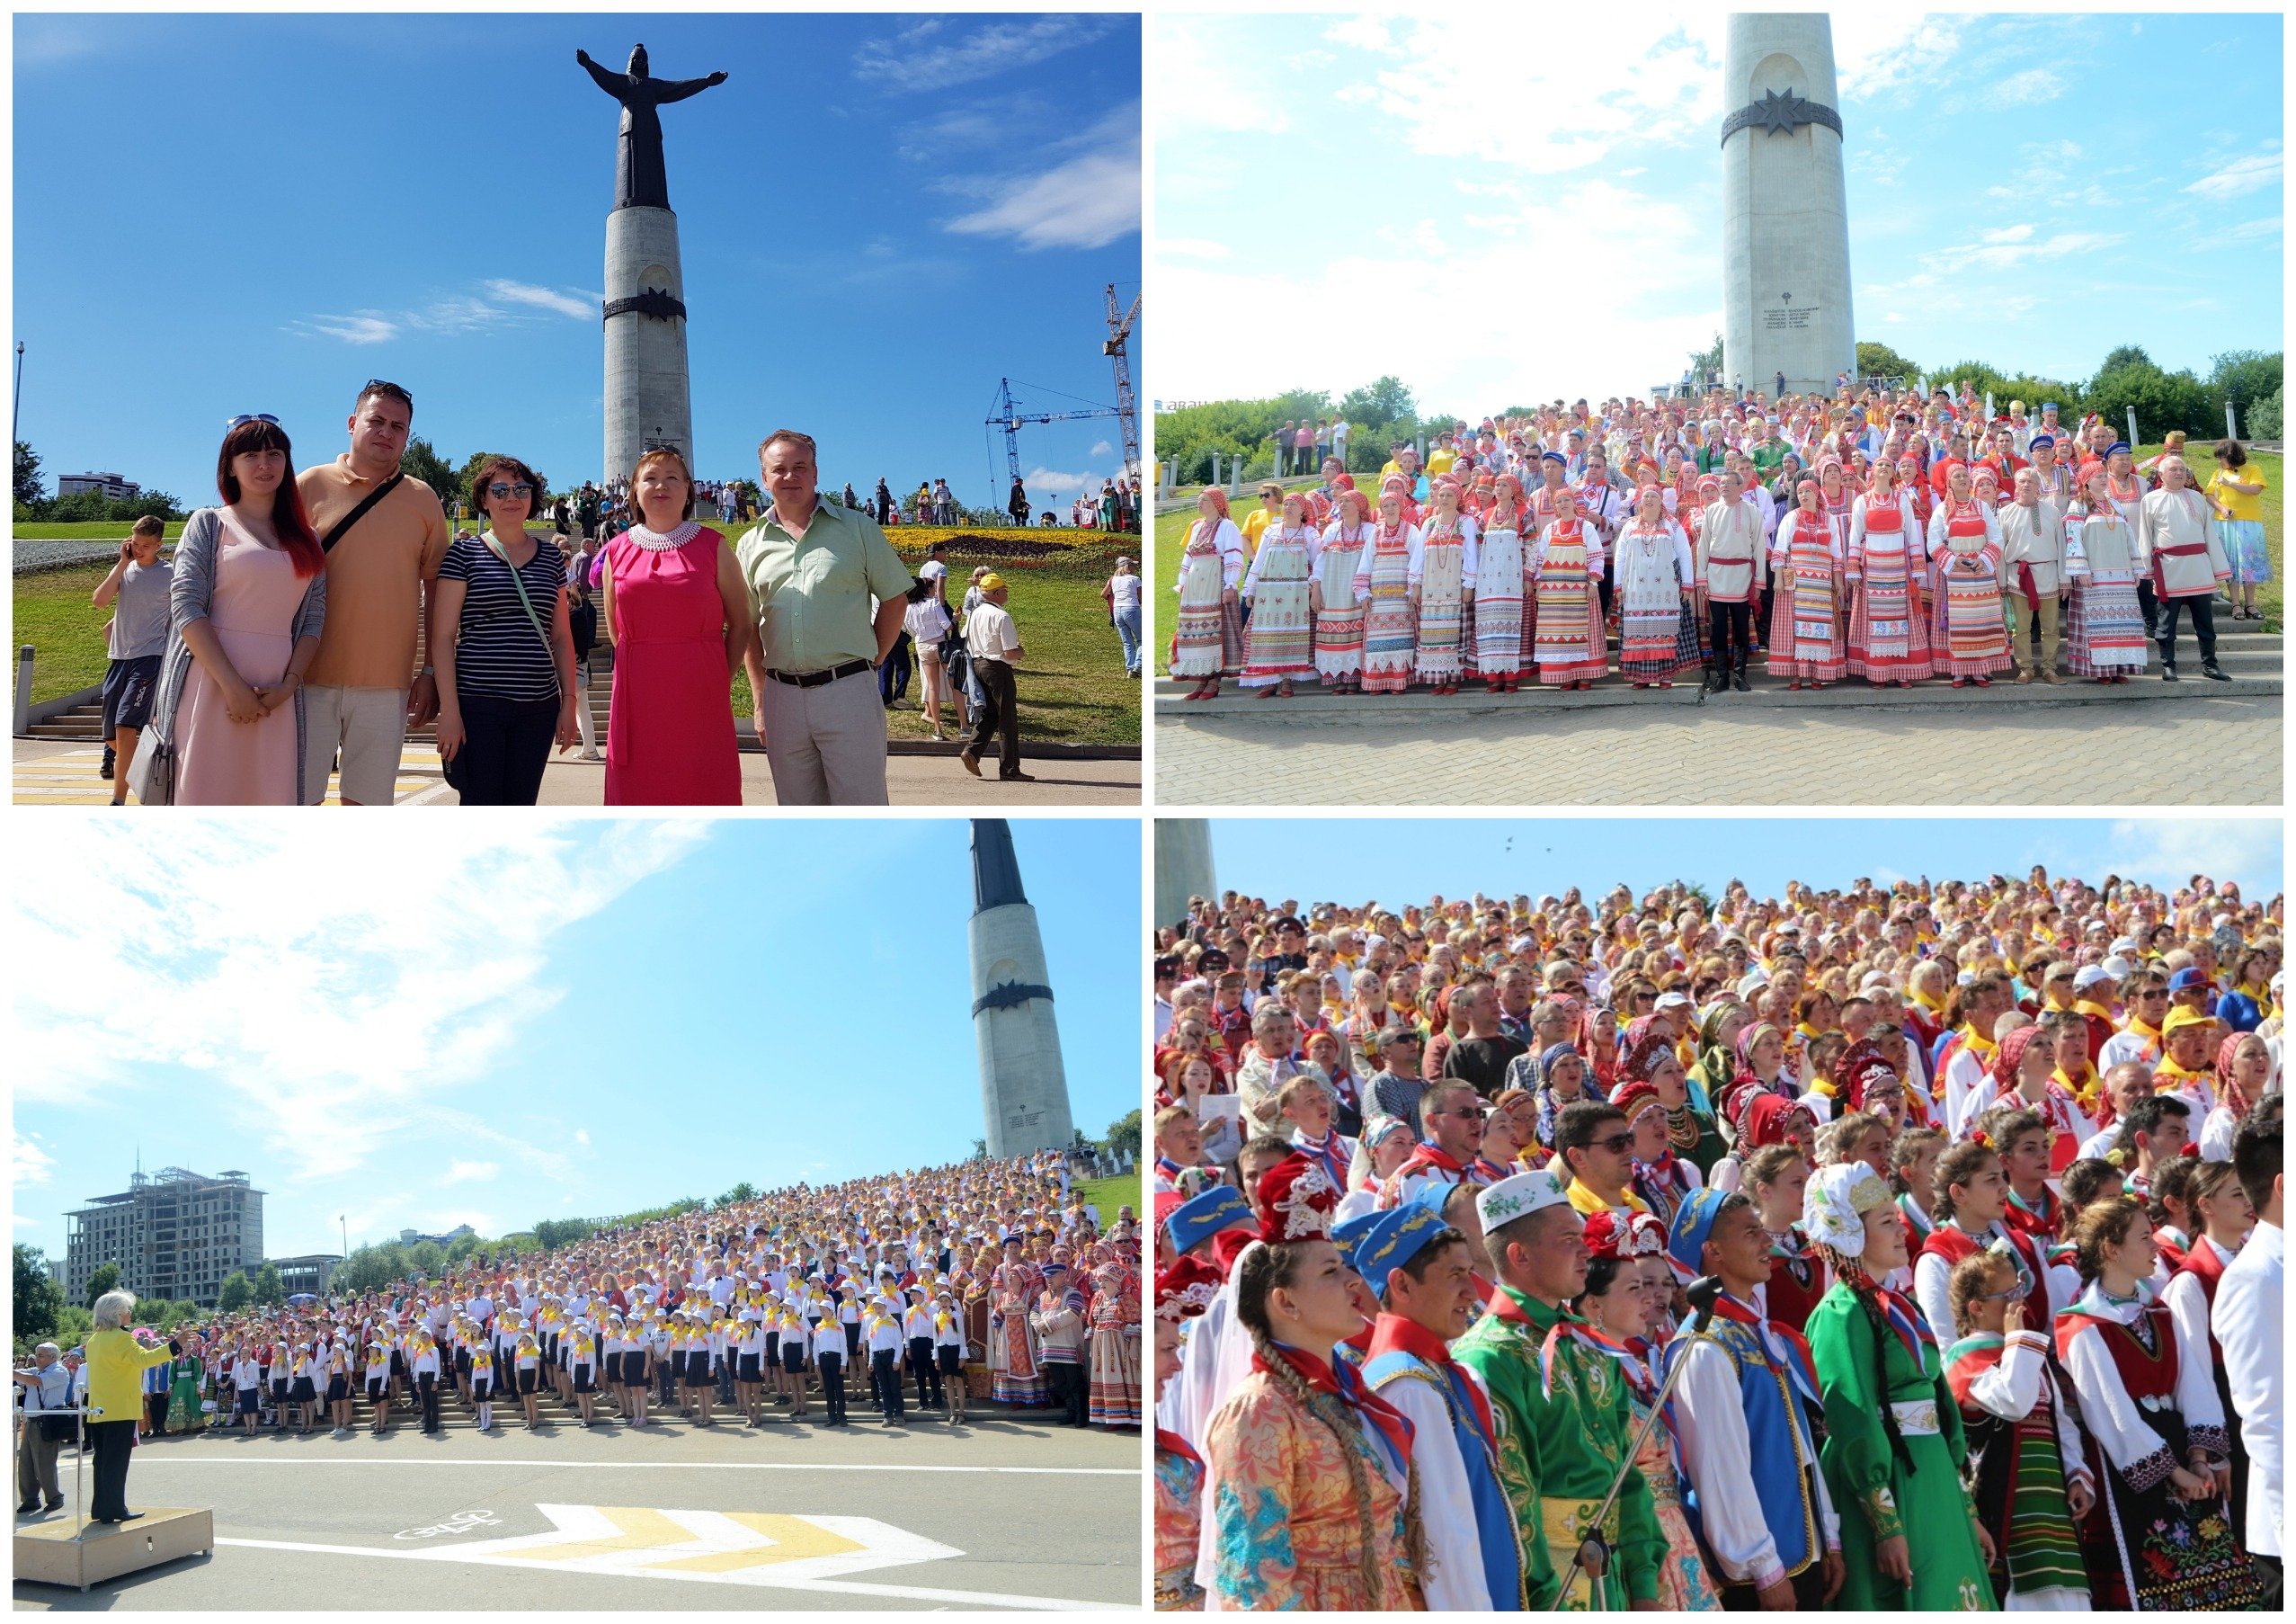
x=1785, y=212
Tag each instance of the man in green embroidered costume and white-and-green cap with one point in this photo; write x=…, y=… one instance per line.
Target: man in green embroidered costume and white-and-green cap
x=1562, y=1437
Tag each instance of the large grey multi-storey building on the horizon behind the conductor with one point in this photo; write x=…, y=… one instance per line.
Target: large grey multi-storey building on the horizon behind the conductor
x=173, y=1235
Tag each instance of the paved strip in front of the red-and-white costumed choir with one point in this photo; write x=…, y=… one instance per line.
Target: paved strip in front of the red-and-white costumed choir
x=2162, y=755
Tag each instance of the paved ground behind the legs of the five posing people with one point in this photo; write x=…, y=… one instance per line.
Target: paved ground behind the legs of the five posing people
x=65, y=775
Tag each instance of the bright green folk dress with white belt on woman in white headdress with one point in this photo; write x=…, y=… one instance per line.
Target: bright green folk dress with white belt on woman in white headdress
x=1872, y=1490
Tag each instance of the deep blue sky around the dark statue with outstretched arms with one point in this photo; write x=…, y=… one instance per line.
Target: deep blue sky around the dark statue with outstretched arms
x=881, y=217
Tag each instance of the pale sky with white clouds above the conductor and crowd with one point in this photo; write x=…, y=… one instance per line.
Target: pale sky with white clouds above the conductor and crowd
x=492, y=1023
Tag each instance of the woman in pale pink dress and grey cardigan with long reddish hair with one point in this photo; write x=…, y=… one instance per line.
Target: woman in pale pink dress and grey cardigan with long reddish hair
x=249, y=601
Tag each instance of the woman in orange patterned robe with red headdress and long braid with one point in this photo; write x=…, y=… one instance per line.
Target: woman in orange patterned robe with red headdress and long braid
x=1312, y=1503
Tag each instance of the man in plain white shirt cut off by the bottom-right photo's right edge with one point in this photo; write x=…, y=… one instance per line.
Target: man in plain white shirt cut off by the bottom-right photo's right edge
x=2247, y=1324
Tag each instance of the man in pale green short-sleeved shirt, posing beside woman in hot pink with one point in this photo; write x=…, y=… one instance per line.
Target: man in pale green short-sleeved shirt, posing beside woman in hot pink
x=812, y=573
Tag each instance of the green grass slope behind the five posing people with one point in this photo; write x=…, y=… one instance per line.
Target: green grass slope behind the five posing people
x=1073, y=683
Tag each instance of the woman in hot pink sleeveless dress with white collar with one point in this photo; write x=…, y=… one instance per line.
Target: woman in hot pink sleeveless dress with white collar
x=678, y=617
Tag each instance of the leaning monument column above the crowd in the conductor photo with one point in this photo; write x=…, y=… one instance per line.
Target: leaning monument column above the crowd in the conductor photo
x=1023, y=1083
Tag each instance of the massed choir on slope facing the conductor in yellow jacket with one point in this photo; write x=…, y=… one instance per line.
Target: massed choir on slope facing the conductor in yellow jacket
x=901, y=1290
